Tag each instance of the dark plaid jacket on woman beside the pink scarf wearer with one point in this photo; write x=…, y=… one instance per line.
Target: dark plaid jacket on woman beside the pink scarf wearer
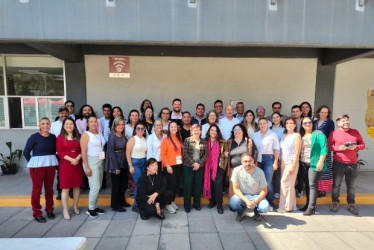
x=188, y=150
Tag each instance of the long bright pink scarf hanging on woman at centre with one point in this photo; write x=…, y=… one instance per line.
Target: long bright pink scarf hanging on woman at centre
x=211, y=165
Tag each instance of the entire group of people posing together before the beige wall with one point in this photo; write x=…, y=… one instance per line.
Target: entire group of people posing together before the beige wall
x=257, y=157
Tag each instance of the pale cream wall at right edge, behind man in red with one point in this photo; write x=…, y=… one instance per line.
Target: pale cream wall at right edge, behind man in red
x=352, y=81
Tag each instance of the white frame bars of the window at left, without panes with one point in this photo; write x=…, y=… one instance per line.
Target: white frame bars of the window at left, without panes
x=6, y=96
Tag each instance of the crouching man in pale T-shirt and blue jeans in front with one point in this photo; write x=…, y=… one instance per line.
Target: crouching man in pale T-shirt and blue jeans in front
x=250, y=188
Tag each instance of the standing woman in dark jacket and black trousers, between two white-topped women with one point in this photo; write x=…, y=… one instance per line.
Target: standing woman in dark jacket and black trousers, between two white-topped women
x=116, y=164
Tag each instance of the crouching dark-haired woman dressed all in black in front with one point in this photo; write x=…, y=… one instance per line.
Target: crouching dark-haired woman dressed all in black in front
x=152, y=193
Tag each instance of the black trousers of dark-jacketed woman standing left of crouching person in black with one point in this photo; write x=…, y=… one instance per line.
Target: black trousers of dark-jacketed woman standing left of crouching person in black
x=118, y=190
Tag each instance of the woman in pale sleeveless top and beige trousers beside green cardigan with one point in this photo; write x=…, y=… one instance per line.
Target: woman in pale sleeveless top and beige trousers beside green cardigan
x=290, y=148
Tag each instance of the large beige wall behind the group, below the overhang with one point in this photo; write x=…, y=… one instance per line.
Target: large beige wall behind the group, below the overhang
x=255, y=81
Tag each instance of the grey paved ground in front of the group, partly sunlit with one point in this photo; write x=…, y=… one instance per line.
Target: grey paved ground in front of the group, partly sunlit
x=203, y=229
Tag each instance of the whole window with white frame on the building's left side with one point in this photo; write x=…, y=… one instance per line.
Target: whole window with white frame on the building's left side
x=32, y=87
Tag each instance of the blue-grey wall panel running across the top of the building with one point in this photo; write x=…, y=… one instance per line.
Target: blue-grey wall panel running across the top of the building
x=308, y=23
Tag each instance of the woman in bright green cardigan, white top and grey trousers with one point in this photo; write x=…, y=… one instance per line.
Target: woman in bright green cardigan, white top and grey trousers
x=312, y=162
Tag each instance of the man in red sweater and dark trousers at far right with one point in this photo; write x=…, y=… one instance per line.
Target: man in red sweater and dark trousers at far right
x=345, y=142
